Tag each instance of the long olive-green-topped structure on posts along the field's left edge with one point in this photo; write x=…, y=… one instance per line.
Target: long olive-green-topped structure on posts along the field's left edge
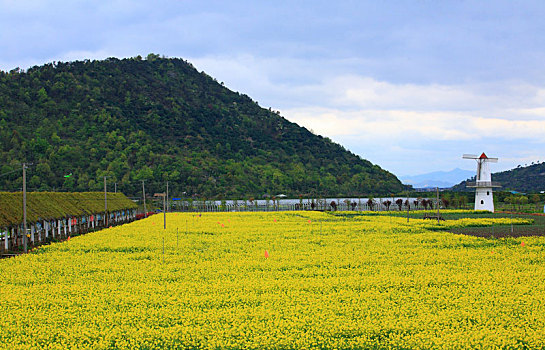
x=53, y=216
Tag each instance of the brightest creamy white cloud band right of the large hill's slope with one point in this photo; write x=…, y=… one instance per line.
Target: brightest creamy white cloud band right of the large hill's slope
x=406, y=125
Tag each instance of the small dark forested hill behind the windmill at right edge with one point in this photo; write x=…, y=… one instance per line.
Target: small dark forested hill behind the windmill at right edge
x=523, y=179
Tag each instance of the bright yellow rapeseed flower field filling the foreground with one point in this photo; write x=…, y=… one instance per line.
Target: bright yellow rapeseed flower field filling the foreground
x=298, y=280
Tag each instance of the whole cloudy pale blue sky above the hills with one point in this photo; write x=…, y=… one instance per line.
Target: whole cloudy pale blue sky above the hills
x=408, y=85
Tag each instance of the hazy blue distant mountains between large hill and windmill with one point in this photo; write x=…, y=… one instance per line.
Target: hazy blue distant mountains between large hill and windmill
x=441, y=179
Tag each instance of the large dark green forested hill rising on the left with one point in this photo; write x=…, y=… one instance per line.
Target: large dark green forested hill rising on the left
x=159, y=119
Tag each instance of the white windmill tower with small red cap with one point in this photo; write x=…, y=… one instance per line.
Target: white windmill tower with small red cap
x=483, y=184
